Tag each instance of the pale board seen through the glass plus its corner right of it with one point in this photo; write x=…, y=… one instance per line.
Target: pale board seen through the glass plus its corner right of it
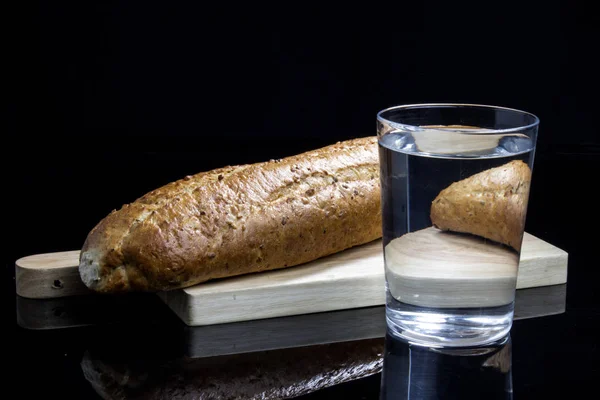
x=433, y=268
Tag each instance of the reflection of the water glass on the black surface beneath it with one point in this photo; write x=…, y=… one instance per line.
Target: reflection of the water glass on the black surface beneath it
x=417, y=372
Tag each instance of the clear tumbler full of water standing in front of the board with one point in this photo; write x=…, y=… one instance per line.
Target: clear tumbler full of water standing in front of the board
x=455, y=184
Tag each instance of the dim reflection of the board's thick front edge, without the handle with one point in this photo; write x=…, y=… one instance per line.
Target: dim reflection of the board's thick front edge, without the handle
x=334, y=326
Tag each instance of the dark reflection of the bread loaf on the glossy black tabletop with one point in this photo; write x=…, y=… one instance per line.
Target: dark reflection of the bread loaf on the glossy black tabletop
x=276, y=374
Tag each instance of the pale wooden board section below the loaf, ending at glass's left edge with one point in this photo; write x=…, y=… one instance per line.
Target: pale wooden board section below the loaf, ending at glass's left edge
x=350, y=279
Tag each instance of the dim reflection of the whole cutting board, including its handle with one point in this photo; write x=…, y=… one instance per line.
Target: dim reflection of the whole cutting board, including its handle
x=316, y=328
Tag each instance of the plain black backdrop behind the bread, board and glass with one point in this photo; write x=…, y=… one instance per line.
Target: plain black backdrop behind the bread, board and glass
x=108, y=100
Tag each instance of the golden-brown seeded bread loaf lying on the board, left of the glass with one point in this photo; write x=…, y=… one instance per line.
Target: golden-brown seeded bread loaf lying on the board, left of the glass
x=239, y=220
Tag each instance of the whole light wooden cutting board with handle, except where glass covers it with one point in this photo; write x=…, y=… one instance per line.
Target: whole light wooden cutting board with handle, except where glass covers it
x=350, y=279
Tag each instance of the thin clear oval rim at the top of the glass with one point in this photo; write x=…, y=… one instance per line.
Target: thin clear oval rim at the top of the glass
x=485, y=131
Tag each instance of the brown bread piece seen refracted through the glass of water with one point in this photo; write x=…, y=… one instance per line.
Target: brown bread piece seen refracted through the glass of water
x=491, y=204
